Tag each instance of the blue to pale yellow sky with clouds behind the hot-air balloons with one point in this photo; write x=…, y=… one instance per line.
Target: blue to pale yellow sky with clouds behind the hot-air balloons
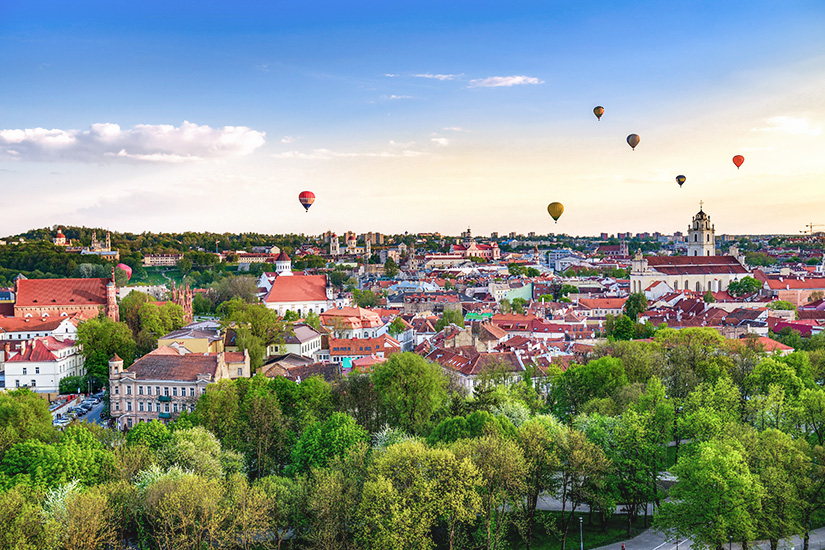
x=411, y=116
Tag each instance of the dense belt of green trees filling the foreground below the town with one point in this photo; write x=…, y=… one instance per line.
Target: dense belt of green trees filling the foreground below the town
x=401, y=458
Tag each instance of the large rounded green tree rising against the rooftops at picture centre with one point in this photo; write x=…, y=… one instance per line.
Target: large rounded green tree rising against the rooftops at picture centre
x=411, y=390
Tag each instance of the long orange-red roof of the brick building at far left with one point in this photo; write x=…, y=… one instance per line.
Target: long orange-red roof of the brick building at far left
x=61, y=292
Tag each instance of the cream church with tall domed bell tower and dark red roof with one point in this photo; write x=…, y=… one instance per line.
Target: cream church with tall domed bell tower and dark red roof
x=700, y=270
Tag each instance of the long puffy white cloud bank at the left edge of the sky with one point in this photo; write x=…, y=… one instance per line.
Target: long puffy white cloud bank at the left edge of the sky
x=148, y=143
